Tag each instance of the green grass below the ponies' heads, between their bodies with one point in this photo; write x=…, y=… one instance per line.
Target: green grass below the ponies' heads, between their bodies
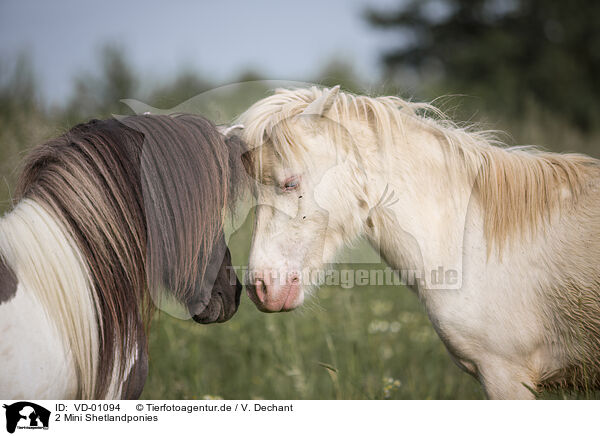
x=364, y=343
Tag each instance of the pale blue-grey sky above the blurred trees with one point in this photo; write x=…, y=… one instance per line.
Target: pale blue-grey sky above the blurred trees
x=282, y=40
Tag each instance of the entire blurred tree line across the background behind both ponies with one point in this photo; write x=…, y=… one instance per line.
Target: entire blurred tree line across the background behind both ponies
x=533, y=66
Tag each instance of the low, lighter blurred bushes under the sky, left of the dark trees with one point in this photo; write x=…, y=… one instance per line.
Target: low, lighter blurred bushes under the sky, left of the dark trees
x=27, y=120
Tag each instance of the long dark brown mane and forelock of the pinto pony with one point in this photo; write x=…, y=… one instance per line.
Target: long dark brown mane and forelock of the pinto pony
x=144, y=199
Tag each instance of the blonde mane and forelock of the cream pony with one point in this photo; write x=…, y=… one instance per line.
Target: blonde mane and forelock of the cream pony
x=518, y=187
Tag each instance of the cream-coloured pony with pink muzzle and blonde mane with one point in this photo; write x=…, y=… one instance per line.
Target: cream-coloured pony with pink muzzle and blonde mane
x=516, y=230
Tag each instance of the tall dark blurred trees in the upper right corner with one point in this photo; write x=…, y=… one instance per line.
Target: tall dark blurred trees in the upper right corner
x=511, y=53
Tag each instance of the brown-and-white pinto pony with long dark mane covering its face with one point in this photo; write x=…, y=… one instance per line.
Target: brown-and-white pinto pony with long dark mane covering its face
x=109, y=218
